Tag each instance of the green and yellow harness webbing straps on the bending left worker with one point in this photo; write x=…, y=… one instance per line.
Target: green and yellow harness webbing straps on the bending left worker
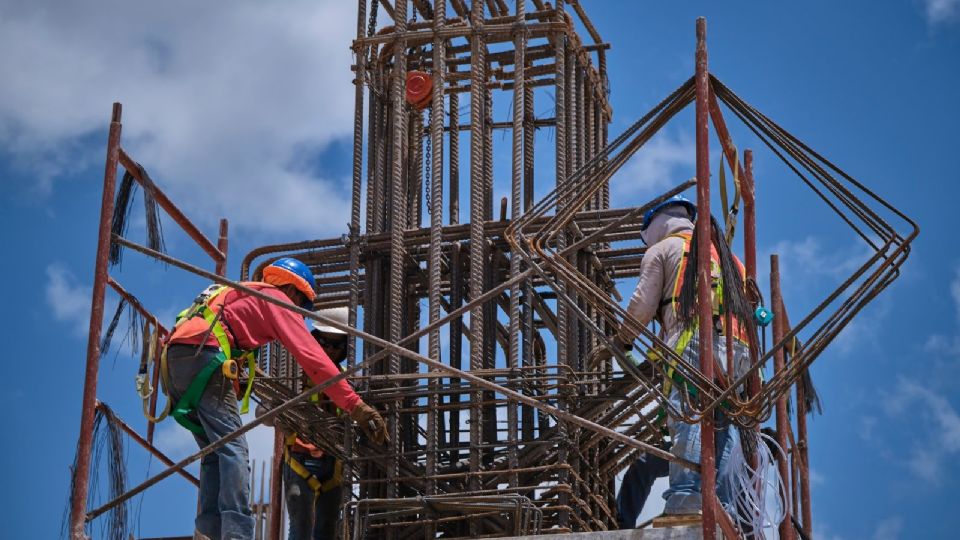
x=188, y=403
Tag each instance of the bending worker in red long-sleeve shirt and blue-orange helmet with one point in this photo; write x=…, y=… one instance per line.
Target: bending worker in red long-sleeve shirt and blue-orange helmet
x=222, y=326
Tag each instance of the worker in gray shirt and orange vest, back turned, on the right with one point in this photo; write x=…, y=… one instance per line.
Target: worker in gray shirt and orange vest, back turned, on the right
x=667, y=292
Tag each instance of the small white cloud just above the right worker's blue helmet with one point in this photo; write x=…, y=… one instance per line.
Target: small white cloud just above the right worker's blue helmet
x=656, y=166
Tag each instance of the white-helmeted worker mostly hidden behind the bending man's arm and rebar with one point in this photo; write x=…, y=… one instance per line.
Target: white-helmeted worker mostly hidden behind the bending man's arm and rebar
x=311, y=478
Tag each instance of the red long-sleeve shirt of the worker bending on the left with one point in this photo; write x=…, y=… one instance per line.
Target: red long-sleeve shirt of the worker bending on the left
x=251, y=322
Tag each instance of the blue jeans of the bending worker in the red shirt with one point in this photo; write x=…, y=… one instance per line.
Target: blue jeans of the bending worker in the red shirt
x=225, y=473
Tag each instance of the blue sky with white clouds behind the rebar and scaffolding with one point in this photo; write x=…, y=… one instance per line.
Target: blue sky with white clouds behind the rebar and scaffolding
x=243, y=111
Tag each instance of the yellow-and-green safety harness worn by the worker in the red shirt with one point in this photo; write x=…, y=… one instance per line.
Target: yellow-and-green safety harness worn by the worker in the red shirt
x=209, y=306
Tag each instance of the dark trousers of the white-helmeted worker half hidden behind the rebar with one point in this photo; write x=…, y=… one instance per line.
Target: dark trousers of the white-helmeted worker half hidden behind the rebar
x=312, y=517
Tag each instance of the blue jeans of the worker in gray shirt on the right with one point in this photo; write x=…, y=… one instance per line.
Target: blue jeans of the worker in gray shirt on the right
x=683, y=495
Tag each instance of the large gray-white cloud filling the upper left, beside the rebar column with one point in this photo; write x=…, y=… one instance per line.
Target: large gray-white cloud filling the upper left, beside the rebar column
x=225, y=106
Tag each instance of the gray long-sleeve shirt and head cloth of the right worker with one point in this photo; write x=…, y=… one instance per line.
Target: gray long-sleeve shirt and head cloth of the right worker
x=658, y=274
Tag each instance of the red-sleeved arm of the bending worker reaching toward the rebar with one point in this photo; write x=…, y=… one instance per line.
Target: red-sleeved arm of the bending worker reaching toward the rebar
x=292, y=332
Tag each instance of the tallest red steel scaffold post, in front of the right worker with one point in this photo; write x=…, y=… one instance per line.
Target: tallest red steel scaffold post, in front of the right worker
x=708, y=472
